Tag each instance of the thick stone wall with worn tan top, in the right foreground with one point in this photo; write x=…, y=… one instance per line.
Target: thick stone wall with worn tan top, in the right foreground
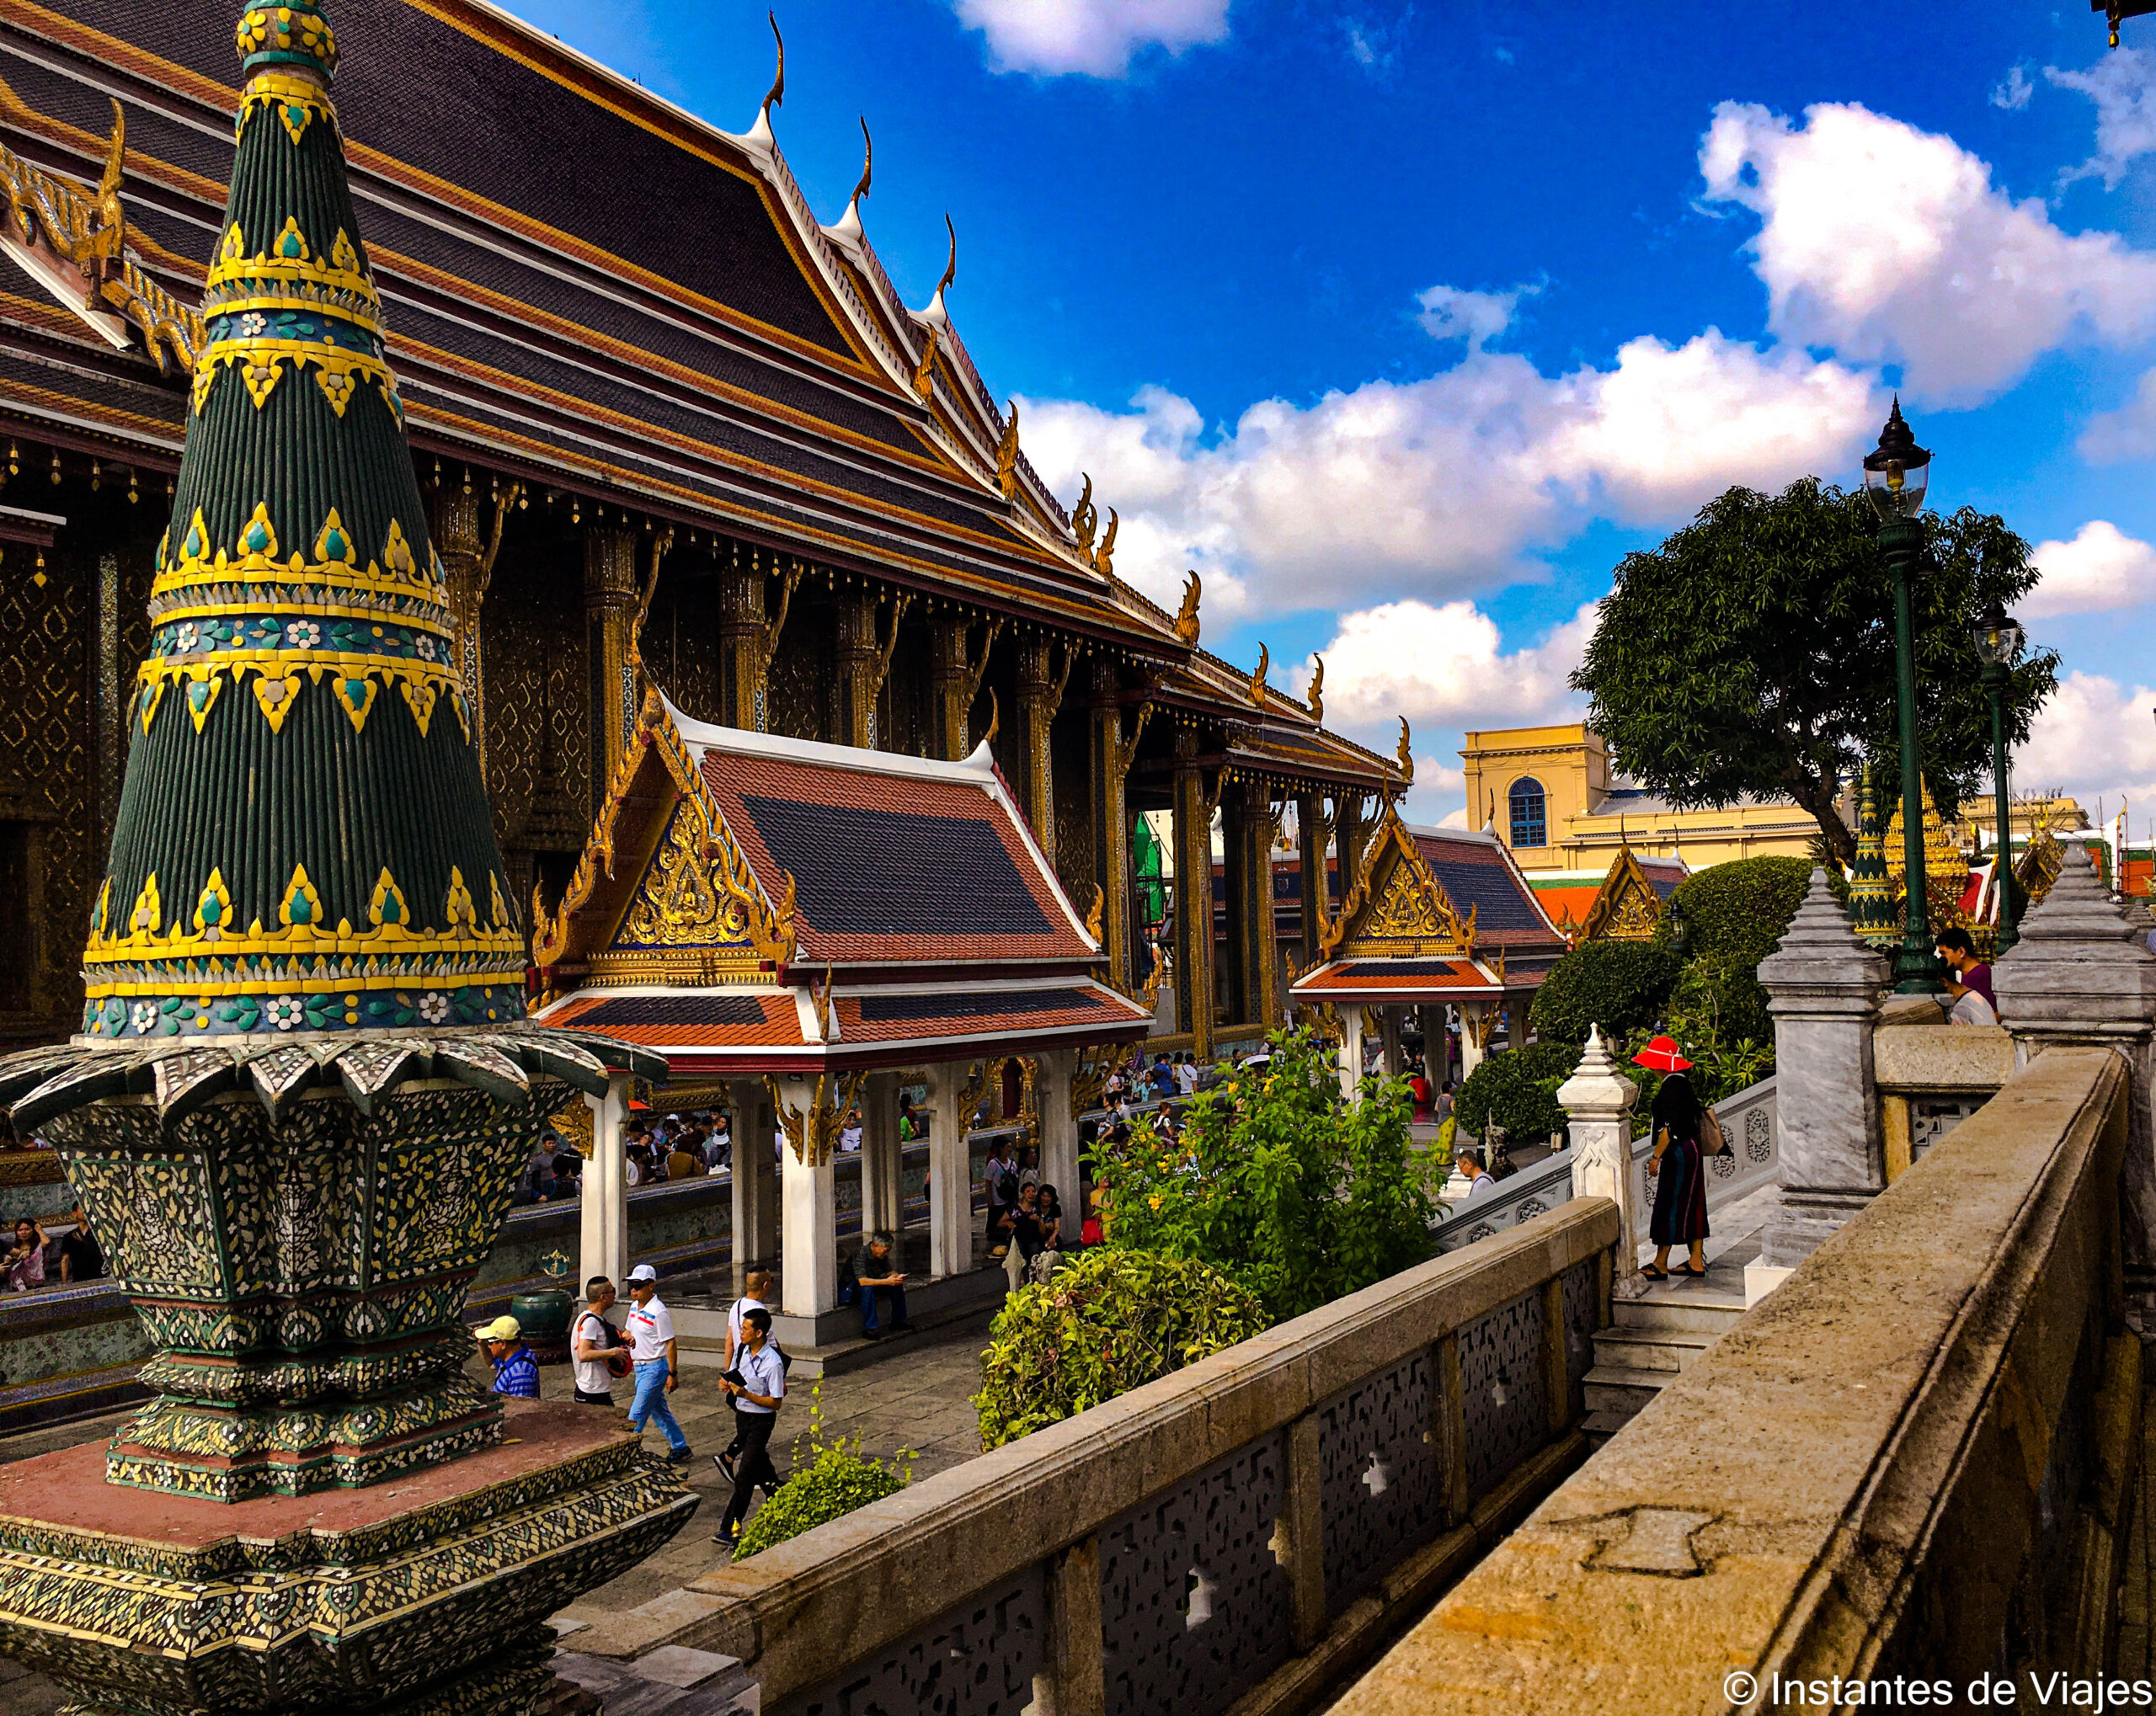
x=1916, y=1458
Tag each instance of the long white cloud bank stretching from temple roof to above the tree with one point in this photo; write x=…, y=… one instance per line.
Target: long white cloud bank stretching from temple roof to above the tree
x=1448, y=484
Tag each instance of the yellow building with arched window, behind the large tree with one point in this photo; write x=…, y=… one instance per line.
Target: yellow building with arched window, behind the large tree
x=1553, y=799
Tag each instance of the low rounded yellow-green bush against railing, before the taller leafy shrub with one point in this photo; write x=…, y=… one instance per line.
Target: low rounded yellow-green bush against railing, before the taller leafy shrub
x=1098, y=1329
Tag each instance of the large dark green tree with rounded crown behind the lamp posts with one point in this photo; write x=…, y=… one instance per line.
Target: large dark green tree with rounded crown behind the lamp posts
x=1752, y=654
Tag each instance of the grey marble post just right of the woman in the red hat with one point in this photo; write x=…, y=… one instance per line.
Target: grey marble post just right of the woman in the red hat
x=1825, y=988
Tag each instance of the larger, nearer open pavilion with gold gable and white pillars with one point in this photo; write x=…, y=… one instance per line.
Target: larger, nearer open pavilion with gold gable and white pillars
x=801, y=922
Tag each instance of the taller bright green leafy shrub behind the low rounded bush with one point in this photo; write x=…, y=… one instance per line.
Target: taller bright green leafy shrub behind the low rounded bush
x=1280, y=1185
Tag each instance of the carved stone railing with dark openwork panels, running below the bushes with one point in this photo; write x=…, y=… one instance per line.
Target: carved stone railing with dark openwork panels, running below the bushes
x=1230, y=1536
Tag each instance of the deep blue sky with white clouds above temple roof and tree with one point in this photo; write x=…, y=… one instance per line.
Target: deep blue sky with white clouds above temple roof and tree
x=1405, y=322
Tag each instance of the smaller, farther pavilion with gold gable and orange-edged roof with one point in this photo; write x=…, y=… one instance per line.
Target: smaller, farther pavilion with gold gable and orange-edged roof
x=1437, y=919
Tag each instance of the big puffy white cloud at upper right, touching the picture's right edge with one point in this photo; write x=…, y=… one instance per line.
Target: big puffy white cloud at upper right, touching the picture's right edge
x=1892, y=245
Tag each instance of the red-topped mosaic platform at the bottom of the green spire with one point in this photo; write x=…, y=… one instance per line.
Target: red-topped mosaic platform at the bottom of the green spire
x=415, y=1596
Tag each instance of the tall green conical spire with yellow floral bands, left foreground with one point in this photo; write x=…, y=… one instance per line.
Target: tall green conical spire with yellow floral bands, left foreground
x=303, y=840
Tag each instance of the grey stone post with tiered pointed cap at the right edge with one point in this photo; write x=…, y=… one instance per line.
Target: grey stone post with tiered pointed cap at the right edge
x=2082, y=973
